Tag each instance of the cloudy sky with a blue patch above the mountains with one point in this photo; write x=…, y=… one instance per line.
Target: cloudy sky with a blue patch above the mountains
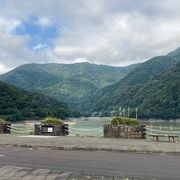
x=110, y=32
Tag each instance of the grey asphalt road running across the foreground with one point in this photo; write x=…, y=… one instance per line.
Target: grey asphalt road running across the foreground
x=101, y=163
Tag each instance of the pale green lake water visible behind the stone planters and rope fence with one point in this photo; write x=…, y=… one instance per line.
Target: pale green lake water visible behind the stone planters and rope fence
x=93, y=126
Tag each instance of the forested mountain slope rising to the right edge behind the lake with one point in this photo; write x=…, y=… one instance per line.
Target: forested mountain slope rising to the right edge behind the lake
x=152, y=87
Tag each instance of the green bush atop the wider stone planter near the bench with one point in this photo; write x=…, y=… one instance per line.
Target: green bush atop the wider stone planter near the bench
x=124, y=121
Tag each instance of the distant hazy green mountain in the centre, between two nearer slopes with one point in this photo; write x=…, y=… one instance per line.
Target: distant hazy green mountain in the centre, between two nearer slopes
x=71, y=83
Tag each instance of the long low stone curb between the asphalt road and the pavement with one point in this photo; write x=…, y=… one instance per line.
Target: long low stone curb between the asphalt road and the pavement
x=75, y=148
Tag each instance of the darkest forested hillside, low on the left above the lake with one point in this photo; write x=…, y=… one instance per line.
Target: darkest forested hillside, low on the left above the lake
x=16, y=104
